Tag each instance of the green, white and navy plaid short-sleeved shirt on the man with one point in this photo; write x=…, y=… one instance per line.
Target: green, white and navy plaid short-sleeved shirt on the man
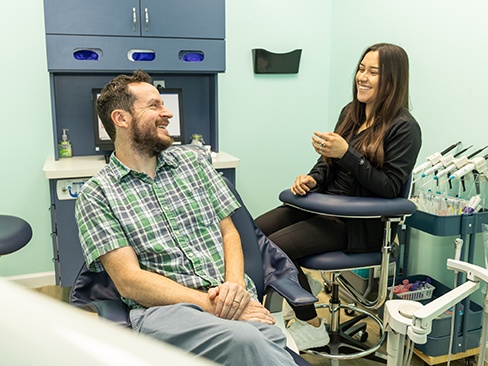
x=171, y=222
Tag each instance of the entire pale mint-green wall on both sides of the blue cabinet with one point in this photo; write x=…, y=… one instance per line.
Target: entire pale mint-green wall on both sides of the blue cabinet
x=267, y=120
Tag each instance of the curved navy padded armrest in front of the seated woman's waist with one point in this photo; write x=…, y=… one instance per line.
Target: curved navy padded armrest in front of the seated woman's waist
x=349, y=206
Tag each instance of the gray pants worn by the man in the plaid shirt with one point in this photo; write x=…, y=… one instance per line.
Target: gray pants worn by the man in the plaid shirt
x=227, y=342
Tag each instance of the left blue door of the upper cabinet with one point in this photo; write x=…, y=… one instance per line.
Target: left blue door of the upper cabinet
x=92, y=17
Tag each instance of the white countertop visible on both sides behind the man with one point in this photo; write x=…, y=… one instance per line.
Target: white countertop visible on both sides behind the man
x=88, y=166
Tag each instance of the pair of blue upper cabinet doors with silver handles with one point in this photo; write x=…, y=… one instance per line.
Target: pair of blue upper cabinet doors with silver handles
x=204, y=19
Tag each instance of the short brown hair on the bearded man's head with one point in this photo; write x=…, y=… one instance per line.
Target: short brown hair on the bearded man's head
x=116, y=95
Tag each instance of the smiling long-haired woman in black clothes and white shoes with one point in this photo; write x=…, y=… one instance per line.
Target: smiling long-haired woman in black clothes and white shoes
x=371, y=152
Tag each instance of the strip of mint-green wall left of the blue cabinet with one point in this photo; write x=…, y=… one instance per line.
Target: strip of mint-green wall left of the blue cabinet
x=25, y=133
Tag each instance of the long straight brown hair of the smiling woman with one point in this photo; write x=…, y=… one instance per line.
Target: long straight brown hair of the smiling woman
x=391, y=100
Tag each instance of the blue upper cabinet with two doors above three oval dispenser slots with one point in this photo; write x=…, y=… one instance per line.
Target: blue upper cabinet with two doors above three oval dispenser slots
x=114, y=29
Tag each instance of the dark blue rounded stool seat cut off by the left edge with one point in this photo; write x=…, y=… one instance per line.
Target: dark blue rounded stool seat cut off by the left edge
x=15, y=233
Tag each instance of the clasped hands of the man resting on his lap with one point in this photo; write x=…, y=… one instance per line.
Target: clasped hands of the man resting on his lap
x=232, y=301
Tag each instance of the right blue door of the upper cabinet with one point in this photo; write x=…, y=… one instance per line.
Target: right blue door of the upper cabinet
x=183, y=18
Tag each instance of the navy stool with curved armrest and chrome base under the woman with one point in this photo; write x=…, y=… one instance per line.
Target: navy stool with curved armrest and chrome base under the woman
x=347, y=338
